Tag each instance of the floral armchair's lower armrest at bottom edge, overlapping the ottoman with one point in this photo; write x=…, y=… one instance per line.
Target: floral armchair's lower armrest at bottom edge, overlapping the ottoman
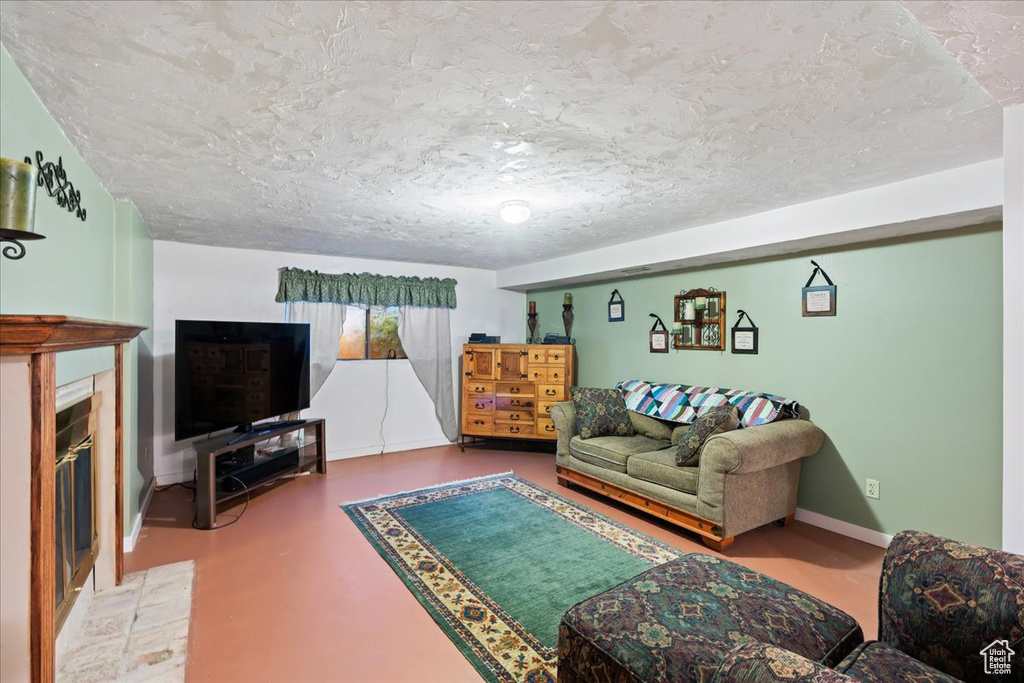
x=759, y=663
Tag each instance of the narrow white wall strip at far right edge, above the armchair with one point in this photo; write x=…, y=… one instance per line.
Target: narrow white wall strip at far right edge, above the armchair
x=1013, y=329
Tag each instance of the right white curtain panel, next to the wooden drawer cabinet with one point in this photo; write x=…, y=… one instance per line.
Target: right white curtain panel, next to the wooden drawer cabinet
x=426, y=337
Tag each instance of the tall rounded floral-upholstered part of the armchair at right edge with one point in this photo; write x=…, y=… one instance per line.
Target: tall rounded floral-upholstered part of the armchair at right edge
x=943, y=602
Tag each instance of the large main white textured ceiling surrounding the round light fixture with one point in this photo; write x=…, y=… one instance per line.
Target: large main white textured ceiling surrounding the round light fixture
x=395, y=131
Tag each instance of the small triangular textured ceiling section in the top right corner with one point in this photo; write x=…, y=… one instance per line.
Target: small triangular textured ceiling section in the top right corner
x=987, y=36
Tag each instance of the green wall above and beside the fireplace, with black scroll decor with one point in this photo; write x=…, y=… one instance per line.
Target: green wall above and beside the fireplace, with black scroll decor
x=101, y=269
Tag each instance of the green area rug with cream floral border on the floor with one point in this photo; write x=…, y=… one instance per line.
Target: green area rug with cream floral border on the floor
x=498, y=561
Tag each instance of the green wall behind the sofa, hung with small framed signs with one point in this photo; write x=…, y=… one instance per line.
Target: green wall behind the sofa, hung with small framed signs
x=906, y=380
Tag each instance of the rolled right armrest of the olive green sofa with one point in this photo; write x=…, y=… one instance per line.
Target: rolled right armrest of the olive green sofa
x=761, y=448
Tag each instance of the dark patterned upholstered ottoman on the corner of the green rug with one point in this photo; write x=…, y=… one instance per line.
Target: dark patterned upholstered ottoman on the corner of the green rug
x=679, y=621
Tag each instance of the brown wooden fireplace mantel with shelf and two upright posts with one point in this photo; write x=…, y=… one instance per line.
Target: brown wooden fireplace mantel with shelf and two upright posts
x=41, y=337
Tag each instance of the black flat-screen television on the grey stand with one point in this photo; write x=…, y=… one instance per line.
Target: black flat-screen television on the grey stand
x=232, y=374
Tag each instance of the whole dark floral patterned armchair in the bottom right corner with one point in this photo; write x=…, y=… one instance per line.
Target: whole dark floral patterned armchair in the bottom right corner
x=942, y=605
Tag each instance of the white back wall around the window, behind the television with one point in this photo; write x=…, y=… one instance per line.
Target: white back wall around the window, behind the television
x=215, y=283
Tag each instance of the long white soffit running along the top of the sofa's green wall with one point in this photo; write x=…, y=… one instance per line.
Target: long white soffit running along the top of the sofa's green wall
x=966, y=196
